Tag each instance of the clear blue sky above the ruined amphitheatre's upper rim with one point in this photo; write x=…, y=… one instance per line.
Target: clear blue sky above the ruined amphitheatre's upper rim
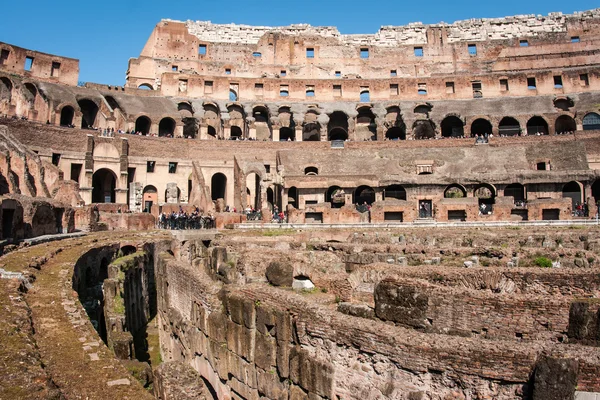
x=104, y=34
